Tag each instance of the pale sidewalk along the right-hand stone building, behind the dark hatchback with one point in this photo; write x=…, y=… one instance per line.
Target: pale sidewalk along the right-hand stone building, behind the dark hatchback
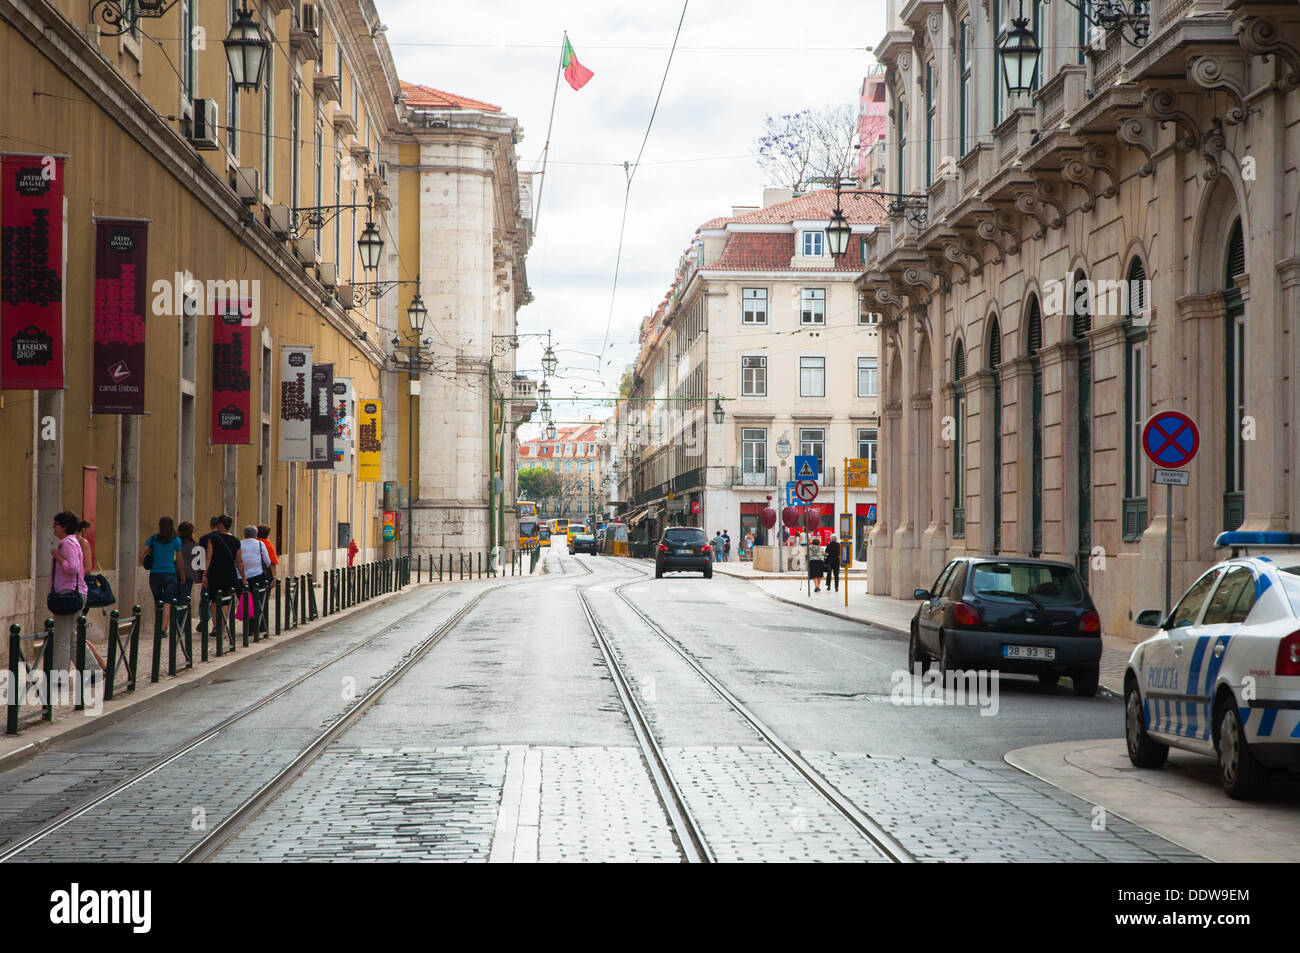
x=887, y=613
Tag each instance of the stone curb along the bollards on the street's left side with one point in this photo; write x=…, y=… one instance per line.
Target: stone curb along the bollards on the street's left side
x=179, y=685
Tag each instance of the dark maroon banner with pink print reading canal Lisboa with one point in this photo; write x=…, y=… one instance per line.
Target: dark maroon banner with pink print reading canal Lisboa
x=120, y=285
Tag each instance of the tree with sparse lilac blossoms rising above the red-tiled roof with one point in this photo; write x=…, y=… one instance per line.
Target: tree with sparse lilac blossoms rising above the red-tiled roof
x=798, y=150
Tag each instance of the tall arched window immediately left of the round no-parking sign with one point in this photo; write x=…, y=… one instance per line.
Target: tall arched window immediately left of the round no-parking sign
x=1137, y=400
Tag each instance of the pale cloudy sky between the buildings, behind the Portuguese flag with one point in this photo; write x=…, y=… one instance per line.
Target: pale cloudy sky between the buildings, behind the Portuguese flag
x=735, y=64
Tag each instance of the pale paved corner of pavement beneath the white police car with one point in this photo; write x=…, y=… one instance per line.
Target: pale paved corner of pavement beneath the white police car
x=1182, y=803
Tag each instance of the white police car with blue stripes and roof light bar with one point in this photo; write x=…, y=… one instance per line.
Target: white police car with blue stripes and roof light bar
x=1223, y=675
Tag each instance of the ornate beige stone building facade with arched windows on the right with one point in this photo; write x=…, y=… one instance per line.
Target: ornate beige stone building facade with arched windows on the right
x=1121, y=241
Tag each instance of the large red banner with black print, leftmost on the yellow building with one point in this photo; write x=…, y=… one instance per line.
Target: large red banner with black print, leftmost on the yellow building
x=32, y=274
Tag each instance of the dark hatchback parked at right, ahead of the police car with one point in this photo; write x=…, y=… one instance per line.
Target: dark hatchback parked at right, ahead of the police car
x=1017, y=616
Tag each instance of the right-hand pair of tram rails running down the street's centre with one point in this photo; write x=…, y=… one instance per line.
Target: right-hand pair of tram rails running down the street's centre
x=687, y=830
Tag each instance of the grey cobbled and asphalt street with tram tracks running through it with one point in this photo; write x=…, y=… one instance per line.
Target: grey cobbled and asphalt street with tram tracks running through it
x=504, y=733
